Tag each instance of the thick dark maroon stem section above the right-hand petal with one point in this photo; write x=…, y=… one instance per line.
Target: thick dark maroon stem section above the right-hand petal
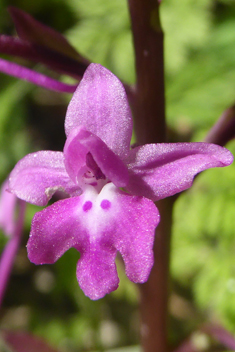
x=149, y=105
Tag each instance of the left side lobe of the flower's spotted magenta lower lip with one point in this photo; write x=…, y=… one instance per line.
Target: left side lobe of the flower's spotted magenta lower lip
x=54, y=230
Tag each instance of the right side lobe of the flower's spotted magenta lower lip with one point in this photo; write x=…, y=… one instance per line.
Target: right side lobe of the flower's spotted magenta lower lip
x=135, y=228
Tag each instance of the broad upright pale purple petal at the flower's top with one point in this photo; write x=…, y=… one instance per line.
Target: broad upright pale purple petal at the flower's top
x=100, y=105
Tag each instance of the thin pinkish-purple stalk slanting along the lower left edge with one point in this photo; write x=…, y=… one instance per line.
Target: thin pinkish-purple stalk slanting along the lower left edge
x=9, y=253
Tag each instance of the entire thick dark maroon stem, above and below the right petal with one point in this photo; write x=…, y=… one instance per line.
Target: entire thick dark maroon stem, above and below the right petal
x=150, y=127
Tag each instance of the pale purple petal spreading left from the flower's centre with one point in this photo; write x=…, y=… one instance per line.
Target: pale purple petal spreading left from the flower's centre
x=37, y=176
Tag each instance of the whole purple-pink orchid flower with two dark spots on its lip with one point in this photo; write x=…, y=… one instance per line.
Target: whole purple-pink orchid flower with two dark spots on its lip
x=99, y=218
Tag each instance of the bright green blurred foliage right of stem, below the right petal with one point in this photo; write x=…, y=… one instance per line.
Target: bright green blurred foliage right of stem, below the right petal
x=203, y=243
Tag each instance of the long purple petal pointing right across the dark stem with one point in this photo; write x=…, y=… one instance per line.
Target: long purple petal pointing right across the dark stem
x=162, y=170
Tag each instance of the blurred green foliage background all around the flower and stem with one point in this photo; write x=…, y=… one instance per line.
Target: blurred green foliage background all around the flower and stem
x=200, y=85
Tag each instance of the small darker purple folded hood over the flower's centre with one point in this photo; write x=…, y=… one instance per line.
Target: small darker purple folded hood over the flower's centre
x=79, y=143
